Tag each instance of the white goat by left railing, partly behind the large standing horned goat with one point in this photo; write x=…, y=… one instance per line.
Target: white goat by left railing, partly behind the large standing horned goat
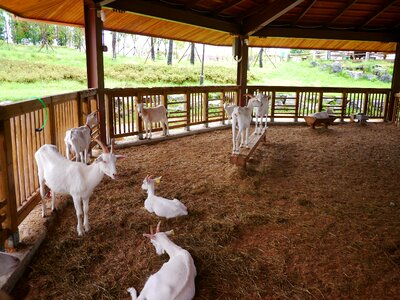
x=78, y=139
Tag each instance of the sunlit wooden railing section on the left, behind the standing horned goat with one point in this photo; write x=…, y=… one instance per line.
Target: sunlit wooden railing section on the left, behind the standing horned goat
x=20, y=137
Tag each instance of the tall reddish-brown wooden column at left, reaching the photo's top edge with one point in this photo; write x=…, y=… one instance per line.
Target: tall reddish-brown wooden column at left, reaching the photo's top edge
x=94, y=58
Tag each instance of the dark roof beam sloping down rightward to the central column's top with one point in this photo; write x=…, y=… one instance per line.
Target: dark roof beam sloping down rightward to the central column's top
x=162, y=11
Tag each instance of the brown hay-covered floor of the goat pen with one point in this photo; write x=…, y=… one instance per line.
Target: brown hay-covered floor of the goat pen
x=314, y=216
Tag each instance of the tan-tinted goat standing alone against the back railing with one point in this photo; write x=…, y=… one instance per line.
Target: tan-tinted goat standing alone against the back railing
x=152, y=115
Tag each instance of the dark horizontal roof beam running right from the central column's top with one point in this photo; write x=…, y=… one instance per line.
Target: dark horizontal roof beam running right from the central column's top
x=328, y=34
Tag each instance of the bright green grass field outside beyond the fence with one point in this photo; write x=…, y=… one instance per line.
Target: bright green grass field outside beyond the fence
x=27, y=72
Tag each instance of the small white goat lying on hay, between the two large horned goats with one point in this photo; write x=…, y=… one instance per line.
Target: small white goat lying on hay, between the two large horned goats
x=160, y=206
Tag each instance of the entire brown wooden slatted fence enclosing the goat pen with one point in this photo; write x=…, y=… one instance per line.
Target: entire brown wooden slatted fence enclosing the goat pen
x=187, y=106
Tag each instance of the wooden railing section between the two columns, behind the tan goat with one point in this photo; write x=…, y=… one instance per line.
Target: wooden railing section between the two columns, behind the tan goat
x=187, y=106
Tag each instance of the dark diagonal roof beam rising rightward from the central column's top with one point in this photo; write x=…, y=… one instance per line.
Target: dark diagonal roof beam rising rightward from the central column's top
x=268, y=14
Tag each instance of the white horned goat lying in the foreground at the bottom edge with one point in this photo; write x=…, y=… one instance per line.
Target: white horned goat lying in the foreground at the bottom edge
x=175, y=279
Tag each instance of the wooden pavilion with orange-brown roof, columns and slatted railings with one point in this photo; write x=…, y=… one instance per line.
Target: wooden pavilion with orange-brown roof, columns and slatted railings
x=357, y=25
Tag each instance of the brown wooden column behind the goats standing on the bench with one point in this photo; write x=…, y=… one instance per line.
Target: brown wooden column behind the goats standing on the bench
x=242, y=65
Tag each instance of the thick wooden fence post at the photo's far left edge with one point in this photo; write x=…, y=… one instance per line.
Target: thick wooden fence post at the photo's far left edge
x=8, y=185
